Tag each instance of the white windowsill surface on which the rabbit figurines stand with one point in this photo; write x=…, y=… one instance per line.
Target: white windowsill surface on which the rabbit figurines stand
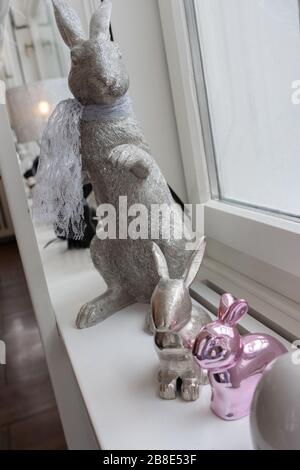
x=116, y=366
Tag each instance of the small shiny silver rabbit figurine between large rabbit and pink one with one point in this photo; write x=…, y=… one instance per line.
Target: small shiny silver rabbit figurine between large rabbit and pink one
x=176, y=323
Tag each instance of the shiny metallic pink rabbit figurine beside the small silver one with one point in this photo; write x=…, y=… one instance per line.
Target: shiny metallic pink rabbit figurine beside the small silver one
x=235, y=363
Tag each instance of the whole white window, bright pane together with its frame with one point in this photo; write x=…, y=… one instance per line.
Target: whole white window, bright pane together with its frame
x=234, y=67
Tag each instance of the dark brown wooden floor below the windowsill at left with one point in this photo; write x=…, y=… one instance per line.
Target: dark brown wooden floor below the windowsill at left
x=28, y=414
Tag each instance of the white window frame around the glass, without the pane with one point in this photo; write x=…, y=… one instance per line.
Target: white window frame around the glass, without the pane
x=271, y=242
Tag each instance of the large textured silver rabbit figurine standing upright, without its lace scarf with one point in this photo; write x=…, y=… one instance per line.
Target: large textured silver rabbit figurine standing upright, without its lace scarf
x=119, y=163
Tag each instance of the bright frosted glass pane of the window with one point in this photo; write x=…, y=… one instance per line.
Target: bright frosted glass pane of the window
x=251, y=58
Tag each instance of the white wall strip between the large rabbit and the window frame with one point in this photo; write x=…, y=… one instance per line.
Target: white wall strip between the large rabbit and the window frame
x=137, y=27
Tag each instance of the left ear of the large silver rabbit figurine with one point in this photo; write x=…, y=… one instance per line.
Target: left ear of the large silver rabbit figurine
x=68, y=23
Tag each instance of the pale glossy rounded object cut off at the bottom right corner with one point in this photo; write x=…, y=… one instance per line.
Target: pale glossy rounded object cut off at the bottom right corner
x=275, y=410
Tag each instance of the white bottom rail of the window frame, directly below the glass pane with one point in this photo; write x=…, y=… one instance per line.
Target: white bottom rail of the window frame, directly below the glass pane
x=271, y=239
